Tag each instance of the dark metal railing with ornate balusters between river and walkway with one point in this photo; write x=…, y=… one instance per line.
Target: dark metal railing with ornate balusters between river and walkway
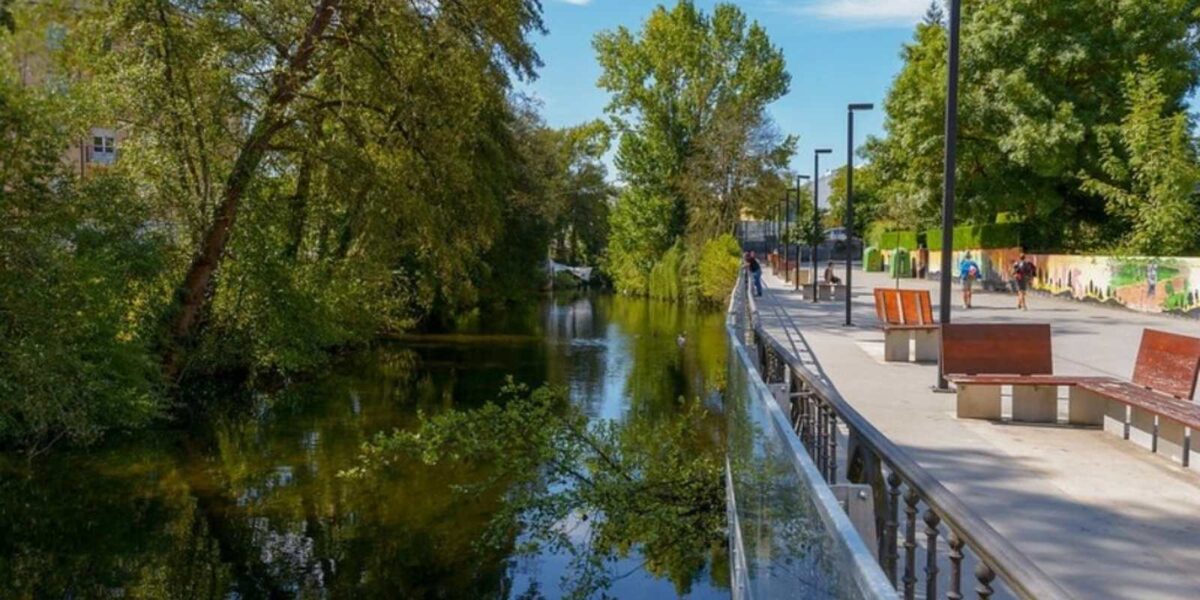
x=955, y=537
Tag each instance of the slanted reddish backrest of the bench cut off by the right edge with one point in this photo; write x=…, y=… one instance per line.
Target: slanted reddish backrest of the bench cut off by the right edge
x=1168, y=363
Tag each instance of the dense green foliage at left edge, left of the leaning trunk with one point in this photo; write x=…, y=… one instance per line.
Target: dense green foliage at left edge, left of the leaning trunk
x=81, y=268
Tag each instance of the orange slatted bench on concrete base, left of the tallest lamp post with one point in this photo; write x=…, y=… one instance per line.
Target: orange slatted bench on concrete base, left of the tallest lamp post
x=907, y=315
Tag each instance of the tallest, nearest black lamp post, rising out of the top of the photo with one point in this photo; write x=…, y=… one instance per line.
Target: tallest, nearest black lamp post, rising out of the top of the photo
x=952, y=133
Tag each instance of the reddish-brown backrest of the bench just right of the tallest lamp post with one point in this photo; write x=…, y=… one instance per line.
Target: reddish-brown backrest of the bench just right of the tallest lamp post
x=997, y=350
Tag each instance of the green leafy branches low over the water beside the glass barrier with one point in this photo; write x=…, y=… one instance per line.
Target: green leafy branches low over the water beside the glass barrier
x=593, y=491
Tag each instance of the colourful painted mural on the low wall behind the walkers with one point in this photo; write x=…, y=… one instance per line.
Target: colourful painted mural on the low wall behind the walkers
x=1142, y=284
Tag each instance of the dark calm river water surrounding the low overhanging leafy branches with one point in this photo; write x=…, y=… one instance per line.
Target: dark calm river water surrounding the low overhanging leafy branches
x=257, y=505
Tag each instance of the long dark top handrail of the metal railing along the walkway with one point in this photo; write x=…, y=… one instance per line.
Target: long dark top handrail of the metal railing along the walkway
x=1019, y=573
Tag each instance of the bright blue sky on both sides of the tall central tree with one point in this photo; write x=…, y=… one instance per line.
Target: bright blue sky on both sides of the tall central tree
x=838, y=52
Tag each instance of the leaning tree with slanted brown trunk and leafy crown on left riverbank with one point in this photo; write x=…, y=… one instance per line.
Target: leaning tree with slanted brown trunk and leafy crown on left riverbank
x=333, y=92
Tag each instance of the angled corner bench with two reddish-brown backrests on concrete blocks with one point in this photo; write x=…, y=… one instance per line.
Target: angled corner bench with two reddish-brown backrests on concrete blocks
x=1155, y=410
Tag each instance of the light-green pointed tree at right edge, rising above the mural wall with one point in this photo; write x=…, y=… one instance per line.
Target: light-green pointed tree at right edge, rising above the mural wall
x=1151, y=171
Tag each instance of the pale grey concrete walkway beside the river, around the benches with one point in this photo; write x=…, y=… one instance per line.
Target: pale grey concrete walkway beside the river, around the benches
x=1101, y=515
